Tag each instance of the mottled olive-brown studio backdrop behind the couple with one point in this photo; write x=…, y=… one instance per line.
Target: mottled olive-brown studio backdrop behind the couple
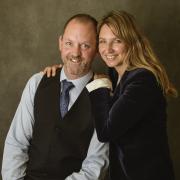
x=29, y=33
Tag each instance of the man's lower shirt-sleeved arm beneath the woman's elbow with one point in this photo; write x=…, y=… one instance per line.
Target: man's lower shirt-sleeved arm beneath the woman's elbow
x=95, y=164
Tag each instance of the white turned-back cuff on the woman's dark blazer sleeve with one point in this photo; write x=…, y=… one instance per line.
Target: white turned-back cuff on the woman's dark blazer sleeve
x=99, y=83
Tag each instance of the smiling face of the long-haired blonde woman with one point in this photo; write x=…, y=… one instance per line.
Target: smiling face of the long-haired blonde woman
x=111, y=48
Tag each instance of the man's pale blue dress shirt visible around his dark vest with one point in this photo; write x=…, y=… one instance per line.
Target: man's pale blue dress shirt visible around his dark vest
x=15, y=155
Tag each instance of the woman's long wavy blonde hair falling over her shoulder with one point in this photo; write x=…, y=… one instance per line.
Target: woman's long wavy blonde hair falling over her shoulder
x=140, y=53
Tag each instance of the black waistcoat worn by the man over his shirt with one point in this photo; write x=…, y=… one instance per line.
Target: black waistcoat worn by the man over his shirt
x=58, y=146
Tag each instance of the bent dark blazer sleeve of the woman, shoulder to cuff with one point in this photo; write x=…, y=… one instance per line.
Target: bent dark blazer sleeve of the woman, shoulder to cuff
x=136, y=98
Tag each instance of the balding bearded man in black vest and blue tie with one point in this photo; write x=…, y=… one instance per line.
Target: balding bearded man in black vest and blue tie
x=45, y=142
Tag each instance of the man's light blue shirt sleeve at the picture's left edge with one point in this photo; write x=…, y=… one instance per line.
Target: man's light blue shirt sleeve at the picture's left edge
x=16, y=146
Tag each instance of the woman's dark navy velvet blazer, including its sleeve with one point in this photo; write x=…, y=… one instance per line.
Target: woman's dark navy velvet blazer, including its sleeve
x=134, y=122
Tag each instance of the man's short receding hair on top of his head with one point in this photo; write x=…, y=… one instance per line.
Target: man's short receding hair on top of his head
x=84, y=18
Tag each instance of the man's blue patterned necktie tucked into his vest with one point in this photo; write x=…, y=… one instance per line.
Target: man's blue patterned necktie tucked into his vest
x=64, y=98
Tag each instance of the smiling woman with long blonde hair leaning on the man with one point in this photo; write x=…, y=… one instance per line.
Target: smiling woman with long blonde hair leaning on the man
x=133, y=120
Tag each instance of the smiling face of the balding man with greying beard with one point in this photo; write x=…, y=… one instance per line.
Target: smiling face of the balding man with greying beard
x=78, y=48
